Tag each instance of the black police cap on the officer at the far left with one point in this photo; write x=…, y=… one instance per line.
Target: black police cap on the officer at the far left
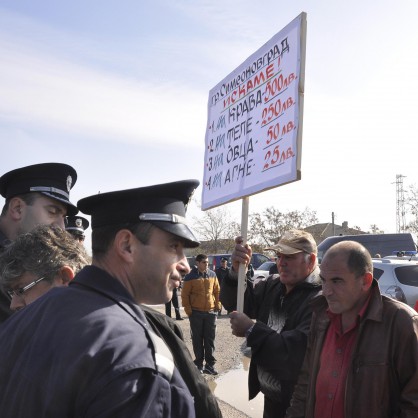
x=54, y=180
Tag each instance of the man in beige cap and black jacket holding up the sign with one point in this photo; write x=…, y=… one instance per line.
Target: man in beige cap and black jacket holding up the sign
x=280, y=305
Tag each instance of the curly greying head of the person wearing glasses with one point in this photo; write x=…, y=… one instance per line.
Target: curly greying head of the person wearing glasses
x=37, y=261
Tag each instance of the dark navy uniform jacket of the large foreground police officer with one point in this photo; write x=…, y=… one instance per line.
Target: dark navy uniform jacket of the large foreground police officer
x=87, y=351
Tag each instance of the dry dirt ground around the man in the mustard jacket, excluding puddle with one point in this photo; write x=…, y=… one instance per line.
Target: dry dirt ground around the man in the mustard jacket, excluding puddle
x=228, y=353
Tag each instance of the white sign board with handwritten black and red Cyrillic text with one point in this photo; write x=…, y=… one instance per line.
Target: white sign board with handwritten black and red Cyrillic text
x=252, y=140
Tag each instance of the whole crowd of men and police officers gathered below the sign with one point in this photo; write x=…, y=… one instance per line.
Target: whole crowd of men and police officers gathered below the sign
x=81, y=342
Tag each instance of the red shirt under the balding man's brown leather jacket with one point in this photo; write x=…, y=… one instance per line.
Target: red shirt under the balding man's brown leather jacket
x=335, y=362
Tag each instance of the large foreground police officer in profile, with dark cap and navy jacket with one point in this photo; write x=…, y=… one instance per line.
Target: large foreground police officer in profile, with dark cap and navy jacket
x=88, y=350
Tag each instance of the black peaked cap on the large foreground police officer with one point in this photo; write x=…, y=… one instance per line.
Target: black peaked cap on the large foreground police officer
x=163, y=205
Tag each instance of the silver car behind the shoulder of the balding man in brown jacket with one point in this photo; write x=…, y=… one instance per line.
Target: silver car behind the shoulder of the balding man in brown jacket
x=397, y=279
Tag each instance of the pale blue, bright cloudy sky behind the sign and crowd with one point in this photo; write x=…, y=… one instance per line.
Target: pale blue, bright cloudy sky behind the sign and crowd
x=119, y=90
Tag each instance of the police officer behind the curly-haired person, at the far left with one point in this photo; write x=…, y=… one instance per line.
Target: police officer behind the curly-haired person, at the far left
x=34, y=195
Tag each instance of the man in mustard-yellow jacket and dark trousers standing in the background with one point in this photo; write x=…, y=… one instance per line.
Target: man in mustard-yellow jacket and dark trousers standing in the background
x=200, y=300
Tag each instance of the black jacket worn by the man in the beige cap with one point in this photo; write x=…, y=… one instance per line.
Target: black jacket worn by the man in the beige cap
x=281, y=353
